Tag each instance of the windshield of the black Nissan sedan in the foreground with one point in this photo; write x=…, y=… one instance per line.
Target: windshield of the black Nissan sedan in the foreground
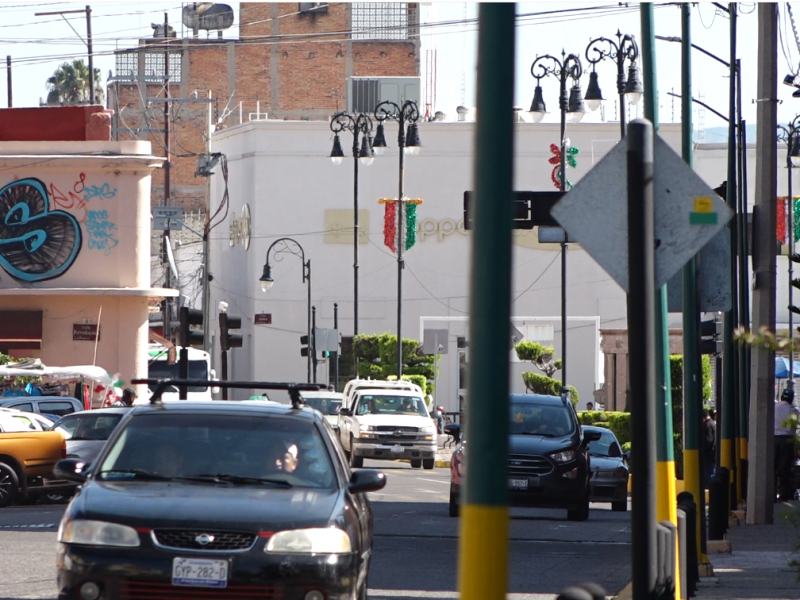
x=229, y=449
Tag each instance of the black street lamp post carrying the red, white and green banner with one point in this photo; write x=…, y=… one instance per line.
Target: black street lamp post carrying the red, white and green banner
x=408, y=143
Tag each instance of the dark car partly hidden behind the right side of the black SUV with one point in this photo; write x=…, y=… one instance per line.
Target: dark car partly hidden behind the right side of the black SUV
x=609, y=475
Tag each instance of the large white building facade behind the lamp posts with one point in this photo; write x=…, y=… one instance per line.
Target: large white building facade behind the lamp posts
x=280, y=173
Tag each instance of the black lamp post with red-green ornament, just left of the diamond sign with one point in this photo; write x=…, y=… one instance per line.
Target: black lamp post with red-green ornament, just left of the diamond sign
x=572, y=110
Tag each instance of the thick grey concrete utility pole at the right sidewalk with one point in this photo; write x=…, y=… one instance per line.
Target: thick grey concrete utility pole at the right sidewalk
x=760, y=484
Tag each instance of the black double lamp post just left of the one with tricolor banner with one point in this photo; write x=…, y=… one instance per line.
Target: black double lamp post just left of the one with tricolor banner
x=356, y=124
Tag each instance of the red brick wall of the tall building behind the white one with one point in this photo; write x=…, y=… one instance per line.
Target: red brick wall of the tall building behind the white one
x=290, y=65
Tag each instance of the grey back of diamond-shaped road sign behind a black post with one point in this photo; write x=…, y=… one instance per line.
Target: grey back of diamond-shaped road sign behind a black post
x=688, y=213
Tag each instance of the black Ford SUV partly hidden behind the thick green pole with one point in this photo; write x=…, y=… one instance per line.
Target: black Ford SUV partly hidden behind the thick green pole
x=548, y=462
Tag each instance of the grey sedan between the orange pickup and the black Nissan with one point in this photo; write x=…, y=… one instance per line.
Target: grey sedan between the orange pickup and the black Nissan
x=86, y=432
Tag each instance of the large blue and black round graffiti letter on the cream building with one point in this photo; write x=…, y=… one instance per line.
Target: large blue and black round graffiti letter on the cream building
x=36, y=243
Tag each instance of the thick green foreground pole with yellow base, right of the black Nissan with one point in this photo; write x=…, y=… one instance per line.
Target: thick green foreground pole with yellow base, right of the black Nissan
x=483, y=544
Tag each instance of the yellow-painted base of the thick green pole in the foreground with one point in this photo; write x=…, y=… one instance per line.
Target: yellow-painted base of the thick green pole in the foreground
x=483, y=550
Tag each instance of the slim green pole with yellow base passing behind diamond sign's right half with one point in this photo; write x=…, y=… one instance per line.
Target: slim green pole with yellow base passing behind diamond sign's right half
x=692, y=367
